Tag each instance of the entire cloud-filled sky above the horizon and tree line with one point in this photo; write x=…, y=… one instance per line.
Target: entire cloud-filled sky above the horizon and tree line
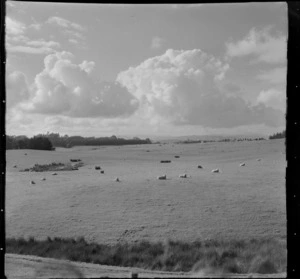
x=155, y=70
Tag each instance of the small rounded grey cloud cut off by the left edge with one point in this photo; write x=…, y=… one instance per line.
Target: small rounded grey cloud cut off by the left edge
x=16, y=88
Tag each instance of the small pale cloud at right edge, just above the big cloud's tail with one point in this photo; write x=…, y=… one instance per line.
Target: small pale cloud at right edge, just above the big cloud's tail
x=273, y=98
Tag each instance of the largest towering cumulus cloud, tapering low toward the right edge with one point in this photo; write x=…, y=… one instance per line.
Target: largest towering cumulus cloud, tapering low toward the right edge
x=182, y=87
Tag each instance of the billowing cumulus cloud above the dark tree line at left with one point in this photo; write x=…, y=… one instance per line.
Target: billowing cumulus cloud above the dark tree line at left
x=67, y=88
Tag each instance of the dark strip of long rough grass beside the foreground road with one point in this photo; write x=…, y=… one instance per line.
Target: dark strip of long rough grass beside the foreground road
x=253, y=256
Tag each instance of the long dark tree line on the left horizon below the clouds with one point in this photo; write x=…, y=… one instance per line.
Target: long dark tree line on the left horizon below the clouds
x=51, y=140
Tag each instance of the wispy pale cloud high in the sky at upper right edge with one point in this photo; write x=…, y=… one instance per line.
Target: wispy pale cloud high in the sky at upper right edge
x=262, y=45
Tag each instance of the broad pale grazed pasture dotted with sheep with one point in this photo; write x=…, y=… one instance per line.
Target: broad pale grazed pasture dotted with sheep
x=237, y=203
